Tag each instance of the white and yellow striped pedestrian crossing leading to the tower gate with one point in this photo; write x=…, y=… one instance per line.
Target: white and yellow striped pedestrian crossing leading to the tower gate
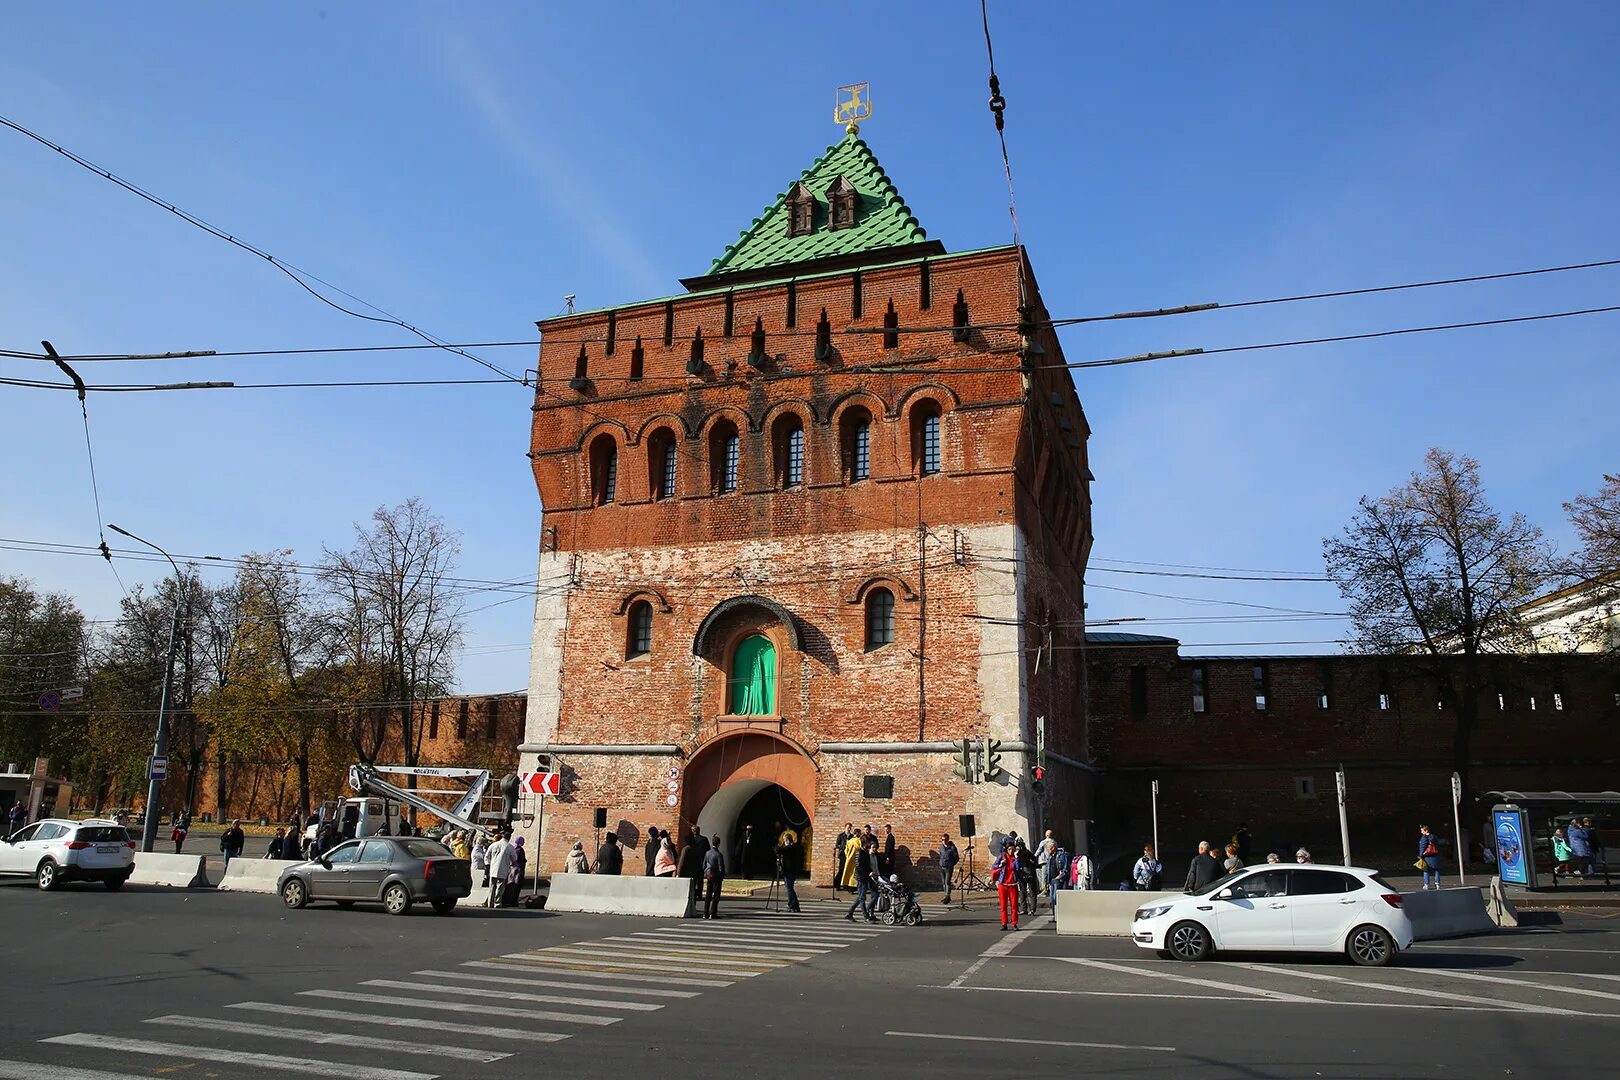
x=453, y=1021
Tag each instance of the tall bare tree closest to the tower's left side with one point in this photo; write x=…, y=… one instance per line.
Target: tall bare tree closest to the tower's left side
x=398, y=623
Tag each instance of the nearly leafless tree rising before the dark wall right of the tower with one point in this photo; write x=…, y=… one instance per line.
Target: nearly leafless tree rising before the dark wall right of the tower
x=1431, y=568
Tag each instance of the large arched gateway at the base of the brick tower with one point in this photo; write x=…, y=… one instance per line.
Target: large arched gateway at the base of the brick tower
x=748, y=778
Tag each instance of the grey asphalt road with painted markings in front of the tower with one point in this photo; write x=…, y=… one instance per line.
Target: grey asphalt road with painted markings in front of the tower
x=155, y=982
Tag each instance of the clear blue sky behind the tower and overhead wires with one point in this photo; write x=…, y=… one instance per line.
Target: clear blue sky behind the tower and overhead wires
x=467, y=166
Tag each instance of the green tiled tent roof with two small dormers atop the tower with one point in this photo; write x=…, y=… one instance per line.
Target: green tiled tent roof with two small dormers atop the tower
x=884, y=223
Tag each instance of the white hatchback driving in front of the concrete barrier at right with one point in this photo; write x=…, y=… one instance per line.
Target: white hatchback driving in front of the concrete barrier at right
x=1287, y=909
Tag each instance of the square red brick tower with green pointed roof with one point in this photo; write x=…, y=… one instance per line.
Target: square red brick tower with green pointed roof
x=806, y=529
